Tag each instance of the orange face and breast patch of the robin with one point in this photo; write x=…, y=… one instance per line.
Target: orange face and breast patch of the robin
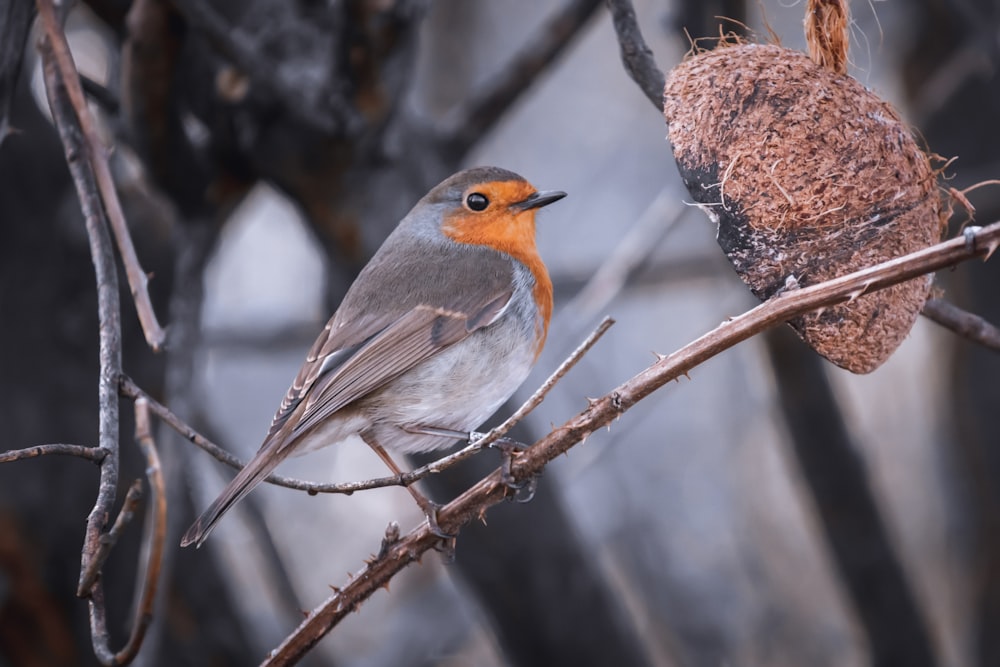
x=508, y=230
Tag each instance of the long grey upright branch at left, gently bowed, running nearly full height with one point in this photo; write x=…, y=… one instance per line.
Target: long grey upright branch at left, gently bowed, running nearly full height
x=108, y=304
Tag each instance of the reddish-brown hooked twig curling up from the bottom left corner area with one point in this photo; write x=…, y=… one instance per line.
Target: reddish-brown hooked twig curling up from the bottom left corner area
x=149, y=575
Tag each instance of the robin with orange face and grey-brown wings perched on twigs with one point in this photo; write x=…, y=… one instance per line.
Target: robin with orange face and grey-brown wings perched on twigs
x=438, y=330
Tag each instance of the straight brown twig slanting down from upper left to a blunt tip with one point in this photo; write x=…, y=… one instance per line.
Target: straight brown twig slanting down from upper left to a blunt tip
x=55, y=50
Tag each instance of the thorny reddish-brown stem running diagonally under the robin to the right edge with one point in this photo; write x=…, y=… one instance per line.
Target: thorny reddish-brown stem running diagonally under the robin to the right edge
x=474, y=502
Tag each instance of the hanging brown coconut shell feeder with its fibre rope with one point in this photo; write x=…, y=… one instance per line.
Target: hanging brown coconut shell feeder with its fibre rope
x=809, y=176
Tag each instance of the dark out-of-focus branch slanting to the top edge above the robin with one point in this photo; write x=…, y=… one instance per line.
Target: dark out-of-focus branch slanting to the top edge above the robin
x=467, y=123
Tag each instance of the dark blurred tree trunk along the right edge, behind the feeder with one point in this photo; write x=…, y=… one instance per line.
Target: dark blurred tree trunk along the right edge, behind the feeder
x=952, y=76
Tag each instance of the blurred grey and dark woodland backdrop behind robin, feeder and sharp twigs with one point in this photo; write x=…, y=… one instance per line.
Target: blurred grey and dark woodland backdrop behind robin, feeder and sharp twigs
x=770, y=509
